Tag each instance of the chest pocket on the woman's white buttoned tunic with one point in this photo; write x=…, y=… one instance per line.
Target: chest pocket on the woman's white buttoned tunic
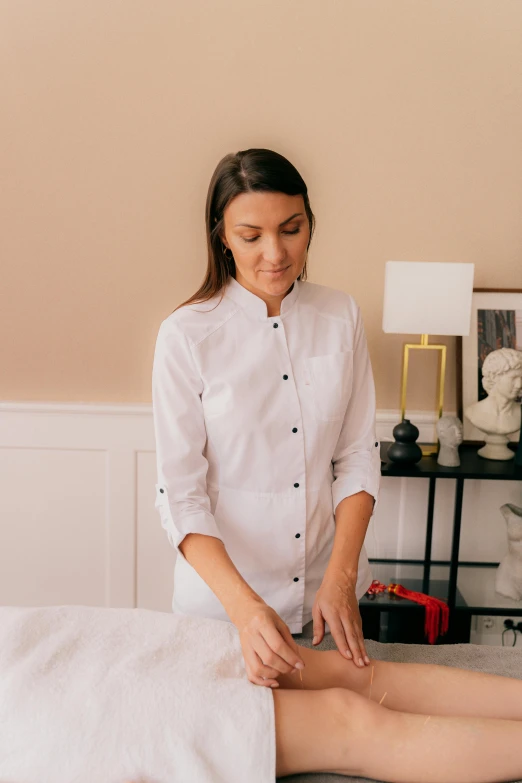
x=330, y=378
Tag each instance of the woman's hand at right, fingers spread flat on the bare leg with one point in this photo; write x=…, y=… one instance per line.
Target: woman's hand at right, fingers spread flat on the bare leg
x=336, y=603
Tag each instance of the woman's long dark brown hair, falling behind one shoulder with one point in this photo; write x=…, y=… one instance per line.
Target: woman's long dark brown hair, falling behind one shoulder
x=242, y=172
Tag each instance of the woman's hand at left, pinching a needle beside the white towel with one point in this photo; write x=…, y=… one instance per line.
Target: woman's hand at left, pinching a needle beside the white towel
x=268, y=647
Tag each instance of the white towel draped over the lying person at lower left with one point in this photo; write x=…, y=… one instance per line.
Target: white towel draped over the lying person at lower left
x=98, y=695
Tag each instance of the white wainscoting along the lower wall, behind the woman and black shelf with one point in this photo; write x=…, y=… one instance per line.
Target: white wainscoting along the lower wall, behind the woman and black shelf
x=78, y=523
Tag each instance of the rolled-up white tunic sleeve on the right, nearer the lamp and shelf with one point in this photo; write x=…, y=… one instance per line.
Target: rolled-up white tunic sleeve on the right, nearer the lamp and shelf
x=356, y=460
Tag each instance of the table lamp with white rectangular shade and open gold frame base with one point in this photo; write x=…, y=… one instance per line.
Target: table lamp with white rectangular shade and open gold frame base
x=427, y=298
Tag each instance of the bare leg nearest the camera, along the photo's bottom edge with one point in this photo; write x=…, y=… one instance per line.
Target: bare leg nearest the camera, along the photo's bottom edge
x=336, y=730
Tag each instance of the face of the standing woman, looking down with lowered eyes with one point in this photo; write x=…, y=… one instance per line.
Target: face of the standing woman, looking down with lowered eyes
x=267, y=232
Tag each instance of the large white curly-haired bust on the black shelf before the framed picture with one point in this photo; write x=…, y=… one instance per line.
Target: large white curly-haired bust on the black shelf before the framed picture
x=498, y=414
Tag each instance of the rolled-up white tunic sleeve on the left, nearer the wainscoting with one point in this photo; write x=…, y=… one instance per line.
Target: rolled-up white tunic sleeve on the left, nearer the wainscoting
x=180, y=434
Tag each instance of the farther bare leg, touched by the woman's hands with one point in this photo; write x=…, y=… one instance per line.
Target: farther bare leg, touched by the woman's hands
x=412, y=687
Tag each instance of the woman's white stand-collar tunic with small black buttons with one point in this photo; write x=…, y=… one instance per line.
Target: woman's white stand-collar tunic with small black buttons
x=263, y=424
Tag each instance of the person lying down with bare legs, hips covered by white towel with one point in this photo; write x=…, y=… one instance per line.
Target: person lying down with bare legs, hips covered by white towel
x=98, y=695
